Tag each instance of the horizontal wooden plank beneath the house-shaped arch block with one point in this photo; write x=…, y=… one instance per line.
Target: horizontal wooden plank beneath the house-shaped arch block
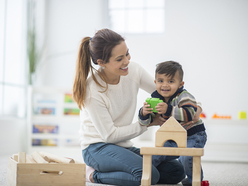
x=172, y=151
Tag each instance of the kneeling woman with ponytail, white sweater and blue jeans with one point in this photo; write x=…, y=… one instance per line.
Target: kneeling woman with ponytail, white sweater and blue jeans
x=107, y=100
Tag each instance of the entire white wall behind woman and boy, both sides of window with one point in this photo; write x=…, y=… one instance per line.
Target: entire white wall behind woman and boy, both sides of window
x=209, y=38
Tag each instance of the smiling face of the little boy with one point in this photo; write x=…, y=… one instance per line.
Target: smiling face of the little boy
x=167, y=86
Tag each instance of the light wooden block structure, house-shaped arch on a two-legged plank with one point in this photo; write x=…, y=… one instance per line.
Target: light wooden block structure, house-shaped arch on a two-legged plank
x=171, y=130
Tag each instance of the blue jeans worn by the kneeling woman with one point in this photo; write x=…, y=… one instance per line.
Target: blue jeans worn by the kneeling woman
x=123, y=166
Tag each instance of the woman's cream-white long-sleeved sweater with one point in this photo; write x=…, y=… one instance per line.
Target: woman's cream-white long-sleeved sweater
x=107, y=117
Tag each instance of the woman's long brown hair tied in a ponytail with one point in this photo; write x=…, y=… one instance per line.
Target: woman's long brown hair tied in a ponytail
x=98, y=47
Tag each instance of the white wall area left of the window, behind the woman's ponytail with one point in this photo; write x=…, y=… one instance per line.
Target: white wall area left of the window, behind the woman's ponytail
x=67, y=22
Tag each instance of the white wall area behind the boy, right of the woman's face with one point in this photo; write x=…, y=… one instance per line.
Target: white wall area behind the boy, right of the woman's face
x=209, y=38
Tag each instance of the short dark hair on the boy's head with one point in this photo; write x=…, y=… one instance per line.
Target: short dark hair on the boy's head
x=169, y=68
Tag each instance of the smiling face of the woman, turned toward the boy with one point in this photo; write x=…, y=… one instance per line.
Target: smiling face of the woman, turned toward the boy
x=118, y=63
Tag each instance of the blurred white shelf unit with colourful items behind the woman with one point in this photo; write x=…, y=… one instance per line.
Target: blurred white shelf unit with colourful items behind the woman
x=51, y=128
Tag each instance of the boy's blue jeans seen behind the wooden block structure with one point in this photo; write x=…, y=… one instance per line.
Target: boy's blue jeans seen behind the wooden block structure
x=197, y=140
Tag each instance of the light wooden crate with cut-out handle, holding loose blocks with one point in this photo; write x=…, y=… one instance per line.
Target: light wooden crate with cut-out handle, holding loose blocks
x=45, y=174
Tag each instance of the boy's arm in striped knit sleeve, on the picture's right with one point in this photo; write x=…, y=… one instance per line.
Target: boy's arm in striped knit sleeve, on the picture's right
x=184, y=109
